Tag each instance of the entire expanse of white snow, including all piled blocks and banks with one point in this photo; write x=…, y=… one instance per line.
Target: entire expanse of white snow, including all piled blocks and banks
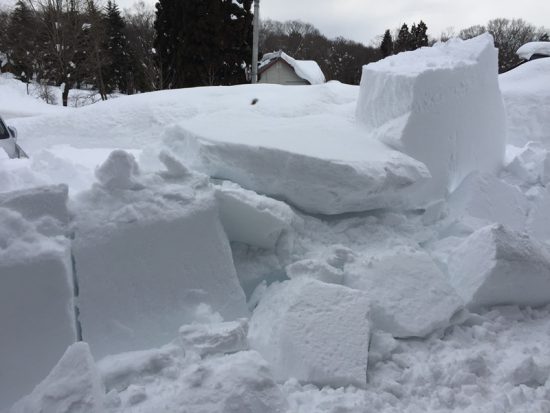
x=291, y=249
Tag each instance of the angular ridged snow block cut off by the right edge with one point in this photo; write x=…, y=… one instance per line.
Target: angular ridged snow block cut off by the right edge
x=497, y=266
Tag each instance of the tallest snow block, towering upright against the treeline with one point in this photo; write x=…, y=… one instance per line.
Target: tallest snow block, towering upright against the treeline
x=441, y=105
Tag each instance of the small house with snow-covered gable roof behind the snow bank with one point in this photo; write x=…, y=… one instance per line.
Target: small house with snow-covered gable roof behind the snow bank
x=280, y=68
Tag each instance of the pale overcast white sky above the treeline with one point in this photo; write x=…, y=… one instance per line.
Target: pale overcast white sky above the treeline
x=363, y=20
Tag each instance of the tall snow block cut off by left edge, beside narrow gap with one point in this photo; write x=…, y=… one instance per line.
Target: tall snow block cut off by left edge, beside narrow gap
x=36, y=305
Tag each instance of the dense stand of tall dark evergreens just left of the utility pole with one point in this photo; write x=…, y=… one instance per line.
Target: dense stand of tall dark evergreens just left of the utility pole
x=202, y=42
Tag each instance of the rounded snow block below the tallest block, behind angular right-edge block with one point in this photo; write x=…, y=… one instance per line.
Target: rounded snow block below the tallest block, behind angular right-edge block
x=486, y=197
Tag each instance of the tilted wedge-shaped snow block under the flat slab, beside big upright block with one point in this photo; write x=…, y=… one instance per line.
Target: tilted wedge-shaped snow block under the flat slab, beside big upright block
x=251, y=218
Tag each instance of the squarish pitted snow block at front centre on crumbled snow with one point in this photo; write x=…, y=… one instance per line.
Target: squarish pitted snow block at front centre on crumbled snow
x=315, y=332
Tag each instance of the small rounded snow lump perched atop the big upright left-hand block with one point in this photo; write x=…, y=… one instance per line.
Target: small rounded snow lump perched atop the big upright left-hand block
x=119, y=171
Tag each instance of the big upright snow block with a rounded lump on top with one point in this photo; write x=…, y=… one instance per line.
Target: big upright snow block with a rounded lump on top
x=149, y=249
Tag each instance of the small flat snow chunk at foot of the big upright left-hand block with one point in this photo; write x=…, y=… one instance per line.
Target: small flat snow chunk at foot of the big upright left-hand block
x=215, y=338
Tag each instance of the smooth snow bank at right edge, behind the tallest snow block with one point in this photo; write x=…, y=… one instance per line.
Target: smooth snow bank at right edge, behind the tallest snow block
x=526, y=94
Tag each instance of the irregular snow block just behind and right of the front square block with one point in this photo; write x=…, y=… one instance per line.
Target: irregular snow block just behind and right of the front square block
x=410, y=296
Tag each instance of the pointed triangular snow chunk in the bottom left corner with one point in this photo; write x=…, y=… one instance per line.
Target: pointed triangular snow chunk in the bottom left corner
x=73, y=386
